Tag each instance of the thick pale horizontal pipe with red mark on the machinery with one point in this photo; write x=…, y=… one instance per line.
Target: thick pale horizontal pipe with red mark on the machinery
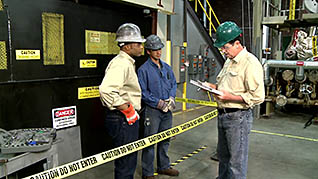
x=300, y=67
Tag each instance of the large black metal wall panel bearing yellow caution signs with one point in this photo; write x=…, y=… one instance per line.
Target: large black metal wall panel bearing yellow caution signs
x=32, y=90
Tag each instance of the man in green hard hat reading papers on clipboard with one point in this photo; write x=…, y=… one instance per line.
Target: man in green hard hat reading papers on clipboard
x=241, y=82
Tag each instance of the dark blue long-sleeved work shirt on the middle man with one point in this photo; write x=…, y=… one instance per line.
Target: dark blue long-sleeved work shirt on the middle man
x=156, y=83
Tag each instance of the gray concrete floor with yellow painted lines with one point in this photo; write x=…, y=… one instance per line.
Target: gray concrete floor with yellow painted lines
x=271, y=156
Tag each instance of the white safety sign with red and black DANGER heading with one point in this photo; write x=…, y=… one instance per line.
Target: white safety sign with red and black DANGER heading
x=64, y=117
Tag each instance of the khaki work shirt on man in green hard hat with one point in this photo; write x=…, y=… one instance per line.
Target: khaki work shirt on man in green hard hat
x=242, y=76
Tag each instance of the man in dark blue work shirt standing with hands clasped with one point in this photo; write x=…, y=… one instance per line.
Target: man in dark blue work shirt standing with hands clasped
x=158, y=85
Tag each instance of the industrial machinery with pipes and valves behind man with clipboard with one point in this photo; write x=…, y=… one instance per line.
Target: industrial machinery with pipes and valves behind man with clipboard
x=289, y=53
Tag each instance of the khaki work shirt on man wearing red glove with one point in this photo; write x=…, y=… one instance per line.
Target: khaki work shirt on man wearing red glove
x=120, y=84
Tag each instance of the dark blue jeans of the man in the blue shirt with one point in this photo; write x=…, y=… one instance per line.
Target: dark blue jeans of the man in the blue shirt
x=155, y=121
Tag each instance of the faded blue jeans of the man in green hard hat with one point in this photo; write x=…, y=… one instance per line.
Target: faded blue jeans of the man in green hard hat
x=233, y=130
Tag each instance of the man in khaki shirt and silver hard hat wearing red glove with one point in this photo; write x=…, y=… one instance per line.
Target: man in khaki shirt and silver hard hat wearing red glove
x=121, y=95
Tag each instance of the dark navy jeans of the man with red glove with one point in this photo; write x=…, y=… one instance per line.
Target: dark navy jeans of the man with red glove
x=122, y=133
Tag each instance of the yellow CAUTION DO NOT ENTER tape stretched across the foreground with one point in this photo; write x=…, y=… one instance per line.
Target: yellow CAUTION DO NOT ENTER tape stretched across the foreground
x=81, y=165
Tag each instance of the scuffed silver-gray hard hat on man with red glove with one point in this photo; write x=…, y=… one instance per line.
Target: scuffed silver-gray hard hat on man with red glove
x=129, y=32
